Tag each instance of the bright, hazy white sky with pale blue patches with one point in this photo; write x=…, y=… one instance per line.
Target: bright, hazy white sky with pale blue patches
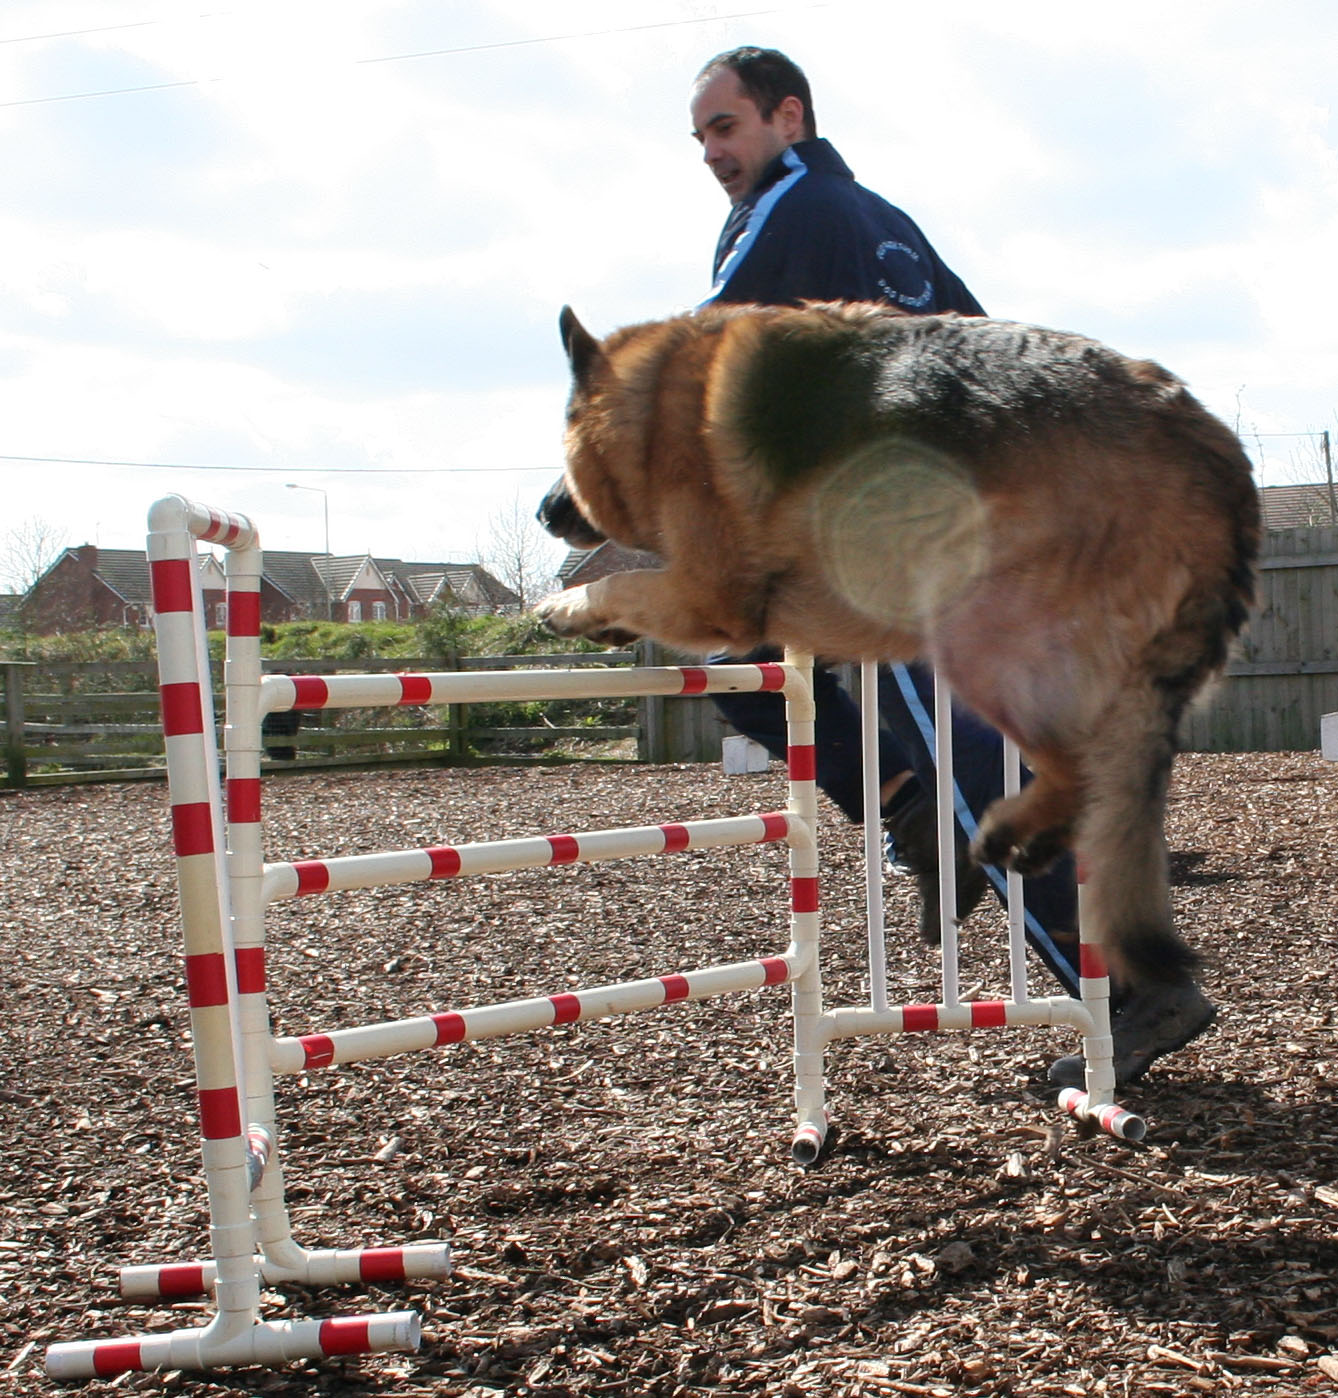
x=325, y=244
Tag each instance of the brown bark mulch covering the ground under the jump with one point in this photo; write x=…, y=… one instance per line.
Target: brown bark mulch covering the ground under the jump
x=624, y=1214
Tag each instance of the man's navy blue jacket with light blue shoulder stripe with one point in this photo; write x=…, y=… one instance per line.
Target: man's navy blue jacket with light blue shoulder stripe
x=809, y=233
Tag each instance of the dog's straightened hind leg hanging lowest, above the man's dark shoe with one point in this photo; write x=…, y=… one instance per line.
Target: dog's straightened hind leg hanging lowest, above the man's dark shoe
x=1122, y=839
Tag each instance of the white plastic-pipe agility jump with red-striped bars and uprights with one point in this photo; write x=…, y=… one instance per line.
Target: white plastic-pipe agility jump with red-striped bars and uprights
x=226, y=888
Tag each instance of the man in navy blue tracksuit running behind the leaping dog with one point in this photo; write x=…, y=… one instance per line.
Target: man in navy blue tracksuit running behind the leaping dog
x=800, y=229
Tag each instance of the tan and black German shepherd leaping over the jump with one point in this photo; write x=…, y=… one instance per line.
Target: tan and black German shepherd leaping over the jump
x=1067, y=535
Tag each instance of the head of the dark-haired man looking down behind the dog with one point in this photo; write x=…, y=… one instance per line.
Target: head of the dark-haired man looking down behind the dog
x=749, y=106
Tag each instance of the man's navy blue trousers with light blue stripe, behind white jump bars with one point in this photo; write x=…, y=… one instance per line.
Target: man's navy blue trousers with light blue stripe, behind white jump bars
x=907, y=743
